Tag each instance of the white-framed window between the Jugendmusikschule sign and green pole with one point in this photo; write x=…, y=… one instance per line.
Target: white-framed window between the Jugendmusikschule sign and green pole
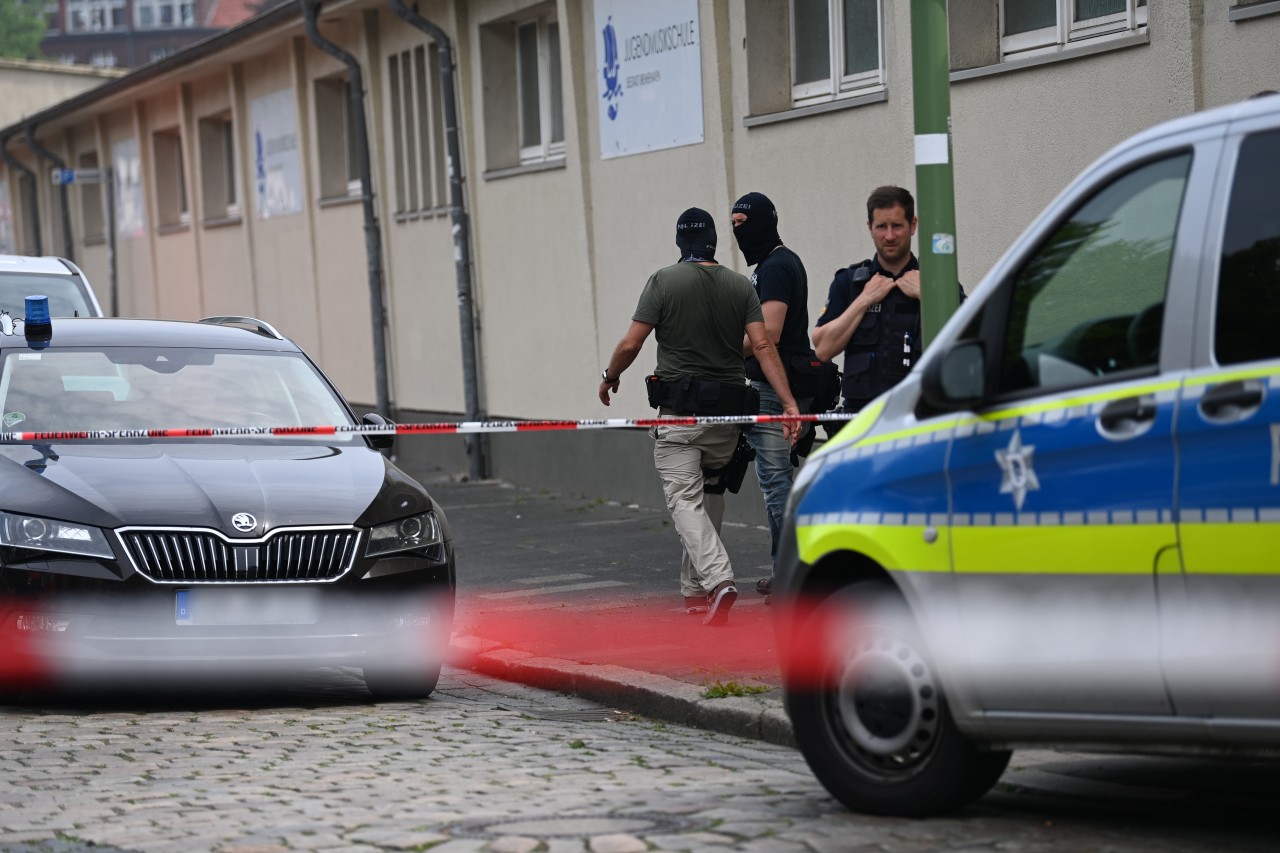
x=836, y=49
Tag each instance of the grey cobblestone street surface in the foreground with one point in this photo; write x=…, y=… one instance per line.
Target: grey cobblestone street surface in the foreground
x=484, y=765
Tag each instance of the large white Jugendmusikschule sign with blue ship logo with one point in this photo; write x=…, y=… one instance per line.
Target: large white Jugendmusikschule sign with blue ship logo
x=650, y=75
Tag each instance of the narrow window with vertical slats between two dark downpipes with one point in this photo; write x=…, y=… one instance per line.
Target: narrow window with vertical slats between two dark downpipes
x=418, y=130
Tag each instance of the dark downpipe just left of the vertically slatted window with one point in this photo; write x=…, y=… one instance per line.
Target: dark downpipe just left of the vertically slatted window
x=373, y=232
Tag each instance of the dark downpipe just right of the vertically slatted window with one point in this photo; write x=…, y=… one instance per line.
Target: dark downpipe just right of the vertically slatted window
x=461, y=231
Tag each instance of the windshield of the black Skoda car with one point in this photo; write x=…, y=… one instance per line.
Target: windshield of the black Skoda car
x=164, y=389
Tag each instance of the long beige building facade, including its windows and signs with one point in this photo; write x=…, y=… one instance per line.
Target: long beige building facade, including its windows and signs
x=587, y=126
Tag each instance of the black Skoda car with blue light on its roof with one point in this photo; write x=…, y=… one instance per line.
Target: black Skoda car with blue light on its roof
x=125, y=556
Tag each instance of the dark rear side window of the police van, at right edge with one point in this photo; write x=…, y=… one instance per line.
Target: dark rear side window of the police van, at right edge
x=1249, y=285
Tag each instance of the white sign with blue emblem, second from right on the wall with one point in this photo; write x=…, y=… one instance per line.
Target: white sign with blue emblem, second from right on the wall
x=277, y=162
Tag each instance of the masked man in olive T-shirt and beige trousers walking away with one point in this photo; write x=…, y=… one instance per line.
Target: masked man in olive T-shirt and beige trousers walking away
x=701, y=312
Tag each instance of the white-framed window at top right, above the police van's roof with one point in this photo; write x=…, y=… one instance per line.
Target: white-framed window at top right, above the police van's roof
x=1031, y=28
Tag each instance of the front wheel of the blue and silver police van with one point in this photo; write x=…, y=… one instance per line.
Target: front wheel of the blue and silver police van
x=875, y=727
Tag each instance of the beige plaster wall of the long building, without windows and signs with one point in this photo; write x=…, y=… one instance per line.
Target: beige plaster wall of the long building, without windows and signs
x=563, y=248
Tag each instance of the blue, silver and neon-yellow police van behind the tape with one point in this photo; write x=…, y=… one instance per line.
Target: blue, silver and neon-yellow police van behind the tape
x=1064, y=526
